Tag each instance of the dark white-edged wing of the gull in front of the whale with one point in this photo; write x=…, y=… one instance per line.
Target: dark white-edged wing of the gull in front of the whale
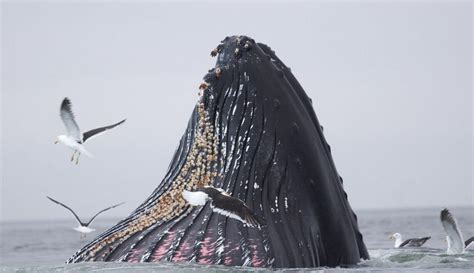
x=235, y=208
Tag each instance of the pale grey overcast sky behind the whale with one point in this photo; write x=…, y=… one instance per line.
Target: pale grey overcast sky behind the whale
x=390, y=82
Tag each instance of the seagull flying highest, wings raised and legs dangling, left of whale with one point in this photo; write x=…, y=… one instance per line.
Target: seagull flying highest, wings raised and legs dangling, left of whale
x=74, y=139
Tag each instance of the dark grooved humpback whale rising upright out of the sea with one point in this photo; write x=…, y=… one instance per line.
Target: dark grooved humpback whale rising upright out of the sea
x=254, y=134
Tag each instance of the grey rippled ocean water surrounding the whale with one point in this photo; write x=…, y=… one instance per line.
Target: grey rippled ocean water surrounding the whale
x=44, y=246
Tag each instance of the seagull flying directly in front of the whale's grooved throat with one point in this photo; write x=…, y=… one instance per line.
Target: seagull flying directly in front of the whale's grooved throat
x=223, y=203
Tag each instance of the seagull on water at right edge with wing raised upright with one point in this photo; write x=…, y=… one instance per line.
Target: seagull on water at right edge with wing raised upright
x=456, y=244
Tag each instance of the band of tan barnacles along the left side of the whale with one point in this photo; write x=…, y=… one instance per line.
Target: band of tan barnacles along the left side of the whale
x=199, y=169
